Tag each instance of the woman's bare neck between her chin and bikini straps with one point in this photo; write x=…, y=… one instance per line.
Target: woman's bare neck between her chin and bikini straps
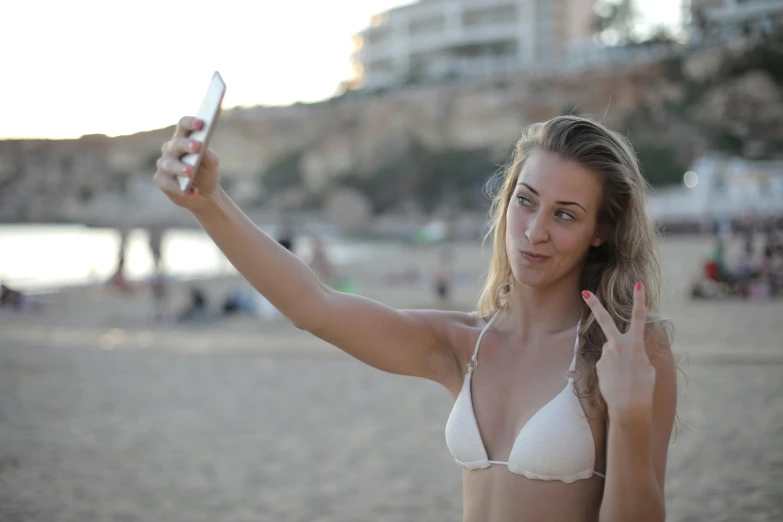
x=541, y=311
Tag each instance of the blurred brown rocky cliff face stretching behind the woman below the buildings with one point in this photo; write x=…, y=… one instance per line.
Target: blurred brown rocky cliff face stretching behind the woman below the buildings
x=45, y=180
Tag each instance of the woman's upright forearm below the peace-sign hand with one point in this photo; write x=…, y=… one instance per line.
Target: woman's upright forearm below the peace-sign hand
x=631, y=491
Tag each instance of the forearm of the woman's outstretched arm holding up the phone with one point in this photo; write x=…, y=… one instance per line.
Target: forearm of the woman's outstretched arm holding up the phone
x=279, y=275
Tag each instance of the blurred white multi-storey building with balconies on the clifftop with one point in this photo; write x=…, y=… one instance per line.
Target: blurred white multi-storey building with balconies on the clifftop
x=435, y=39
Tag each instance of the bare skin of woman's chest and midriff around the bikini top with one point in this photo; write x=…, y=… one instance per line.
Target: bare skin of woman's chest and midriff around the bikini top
x=512, y=382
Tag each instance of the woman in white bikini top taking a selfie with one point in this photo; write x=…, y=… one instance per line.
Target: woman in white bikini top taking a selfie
x=574, y=280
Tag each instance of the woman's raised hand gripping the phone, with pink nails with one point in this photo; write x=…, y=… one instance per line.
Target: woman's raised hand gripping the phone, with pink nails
x=205, y=182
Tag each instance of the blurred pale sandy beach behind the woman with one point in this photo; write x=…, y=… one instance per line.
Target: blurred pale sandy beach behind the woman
x=106, y=416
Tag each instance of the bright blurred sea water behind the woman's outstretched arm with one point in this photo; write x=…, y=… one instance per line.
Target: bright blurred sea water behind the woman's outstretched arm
x=40, y=257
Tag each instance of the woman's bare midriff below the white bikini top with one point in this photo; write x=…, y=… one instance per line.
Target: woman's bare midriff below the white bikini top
x=495, y=494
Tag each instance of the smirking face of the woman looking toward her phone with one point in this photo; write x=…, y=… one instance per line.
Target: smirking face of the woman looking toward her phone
x=551, y=220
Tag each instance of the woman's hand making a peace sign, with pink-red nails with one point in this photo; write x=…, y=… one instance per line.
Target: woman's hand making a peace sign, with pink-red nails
x=625, y=376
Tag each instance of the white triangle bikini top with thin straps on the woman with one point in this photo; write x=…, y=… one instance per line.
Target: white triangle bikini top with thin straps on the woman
x=555, y=444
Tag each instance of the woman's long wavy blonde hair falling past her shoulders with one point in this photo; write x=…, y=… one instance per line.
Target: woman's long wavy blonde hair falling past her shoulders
x=629, y=251
